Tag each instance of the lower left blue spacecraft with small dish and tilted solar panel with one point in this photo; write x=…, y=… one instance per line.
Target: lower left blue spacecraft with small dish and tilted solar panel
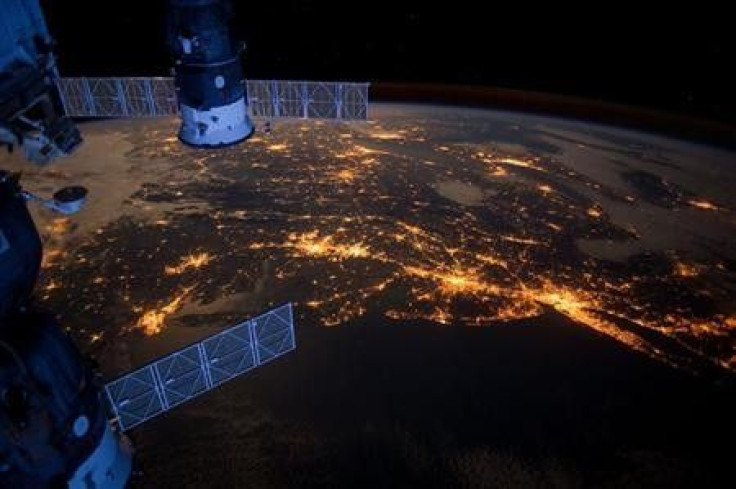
x=60, y=426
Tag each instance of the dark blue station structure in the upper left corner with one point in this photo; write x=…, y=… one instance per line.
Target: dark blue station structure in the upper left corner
x=32, y=112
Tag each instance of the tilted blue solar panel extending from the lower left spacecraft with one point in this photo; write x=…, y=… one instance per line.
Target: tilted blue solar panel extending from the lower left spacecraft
x=176, y=378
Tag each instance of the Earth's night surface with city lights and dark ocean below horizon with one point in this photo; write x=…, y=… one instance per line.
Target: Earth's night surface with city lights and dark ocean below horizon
x=483, y=299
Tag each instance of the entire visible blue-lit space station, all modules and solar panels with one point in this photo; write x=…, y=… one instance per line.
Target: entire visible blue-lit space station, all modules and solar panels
x=60, y=425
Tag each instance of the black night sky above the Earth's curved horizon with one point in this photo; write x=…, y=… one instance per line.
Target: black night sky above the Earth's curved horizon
x=679, y=58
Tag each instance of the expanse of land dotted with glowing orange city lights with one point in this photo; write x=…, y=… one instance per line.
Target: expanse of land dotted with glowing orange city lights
x=351, y=220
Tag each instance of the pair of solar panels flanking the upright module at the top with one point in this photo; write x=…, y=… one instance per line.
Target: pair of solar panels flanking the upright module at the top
x=155, y=97
